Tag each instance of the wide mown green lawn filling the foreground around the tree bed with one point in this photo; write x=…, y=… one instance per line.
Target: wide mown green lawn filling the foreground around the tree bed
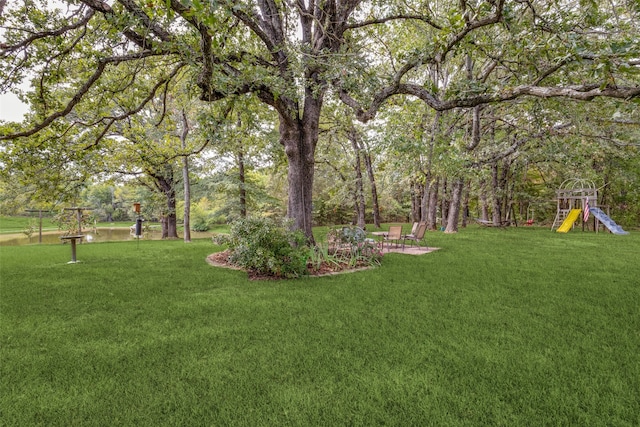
x=499, y=327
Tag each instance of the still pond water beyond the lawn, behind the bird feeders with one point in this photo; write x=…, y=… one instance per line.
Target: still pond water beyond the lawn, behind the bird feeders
x=102, y=235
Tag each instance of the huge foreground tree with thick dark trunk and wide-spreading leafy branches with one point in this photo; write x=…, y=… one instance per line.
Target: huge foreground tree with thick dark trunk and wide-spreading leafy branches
x=297, y=55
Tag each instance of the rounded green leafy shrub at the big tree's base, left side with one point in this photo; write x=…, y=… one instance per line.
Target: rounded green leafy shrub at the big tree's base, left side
x=268, y=247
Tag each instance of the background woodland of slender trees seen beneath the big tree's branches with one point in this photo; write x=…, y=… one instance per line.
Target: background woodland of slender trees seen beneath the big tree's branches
x=511, y=174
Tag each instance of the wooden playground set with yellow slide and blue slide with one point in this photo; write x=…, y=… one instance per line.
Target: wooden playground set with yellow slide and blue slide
x=579, y=196
